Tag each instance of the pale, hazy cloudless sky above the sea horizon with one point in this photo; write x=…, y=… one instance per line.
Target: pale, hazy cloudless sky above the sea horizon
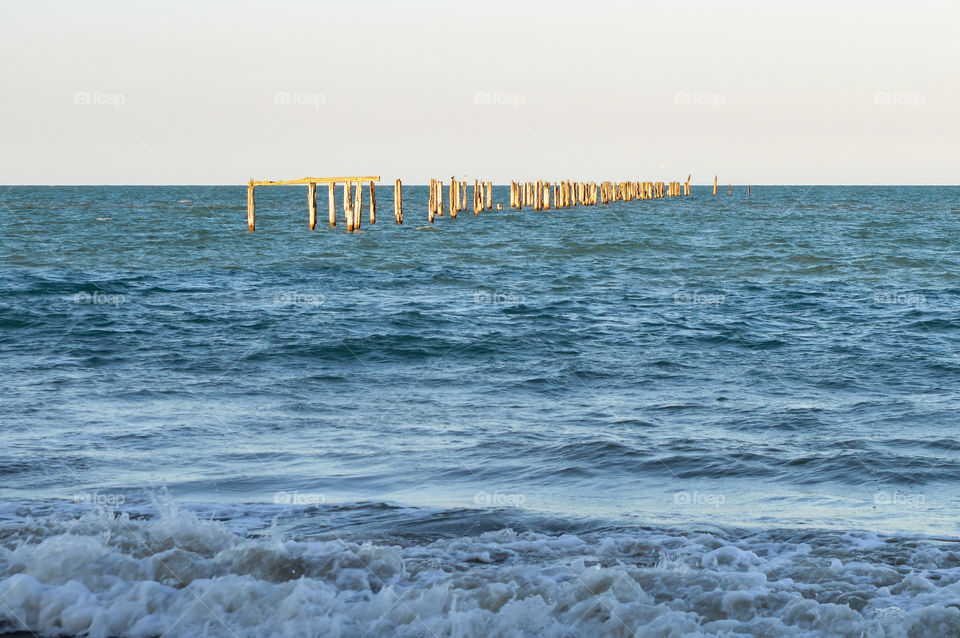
x=211, y=92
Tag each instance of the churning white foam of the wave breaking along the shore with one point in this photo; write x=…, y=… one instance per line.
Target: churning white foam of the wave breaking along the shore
x=178, y=575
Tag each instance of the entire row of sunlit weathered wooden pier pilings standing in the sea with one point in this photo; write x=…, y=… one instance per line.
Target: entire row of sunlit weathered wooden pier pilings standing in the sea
x=537, y=195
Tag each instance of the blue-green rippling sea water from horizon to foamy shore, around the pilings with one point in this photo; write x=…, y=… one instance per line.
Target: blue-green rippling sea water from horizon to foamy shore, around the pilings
x=703, y=416
